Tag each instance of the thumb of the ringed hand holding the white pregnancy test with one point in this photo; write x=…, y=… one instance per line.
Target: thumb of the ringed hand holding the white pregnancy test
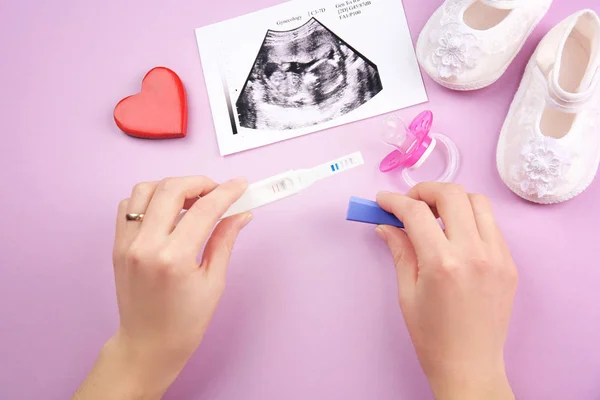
x=220, y=245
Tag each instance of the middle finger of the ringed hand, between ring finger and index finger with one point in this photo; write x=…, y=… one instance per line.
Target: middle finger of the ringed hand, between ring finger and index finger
x=169, y=200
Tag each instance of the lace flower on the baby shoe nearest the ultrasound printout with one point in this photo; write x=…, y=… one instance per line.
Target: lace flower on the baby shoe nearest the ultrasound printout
x=456, y=51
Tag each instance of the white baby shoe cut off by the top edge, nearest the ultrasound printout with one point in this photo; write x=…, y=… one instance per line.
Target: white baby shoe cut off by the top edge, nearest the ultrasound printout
x=469, y=44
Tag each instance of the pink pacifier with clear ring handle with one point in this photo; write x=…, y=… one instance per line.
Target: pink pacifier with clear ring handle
x=414, y=144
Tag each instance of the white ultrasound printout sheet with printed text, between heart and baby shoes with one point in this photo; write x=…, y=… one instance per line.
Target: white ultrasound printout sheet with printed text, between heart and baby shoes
x=305, y=66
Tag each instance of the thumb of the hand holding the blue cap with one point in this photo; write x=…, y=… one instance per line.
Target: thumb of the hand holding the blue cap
x=404, y=256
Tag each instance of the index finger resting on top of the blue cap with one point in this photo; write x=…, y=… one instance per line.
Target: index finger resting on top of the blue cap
x=421, y=226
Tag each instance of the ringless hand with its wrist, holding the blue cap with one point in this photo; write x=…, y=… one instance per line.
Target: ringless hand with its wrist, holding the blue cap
x=456, y=288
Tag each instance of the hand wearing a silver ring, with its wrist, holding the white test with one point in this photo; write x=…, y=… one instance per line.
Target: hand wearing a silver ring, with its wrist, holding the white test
x=166, y=297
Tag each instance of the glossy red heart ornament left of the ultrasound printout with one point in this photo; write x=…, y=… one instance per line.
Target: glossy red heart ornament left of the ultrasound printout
x=159, y=111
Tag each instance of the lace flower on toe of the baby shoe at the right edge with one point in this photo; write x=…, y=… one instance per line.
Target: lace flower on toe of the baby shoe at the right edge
x=543, y=162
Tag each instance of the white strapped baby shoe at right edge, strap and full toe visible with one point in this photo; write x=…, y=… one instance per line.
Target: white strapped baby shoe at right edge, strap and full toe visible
x=549, y=148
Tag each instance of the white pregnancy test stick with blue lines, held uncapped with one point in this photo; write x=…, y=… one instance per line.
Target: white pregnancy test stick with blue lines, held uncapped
x=289, y=183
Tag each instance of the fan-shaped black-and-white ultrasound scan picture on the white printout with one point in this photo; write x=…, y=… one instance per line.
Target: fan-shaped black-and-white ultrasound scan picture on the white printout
x=305, y=77
